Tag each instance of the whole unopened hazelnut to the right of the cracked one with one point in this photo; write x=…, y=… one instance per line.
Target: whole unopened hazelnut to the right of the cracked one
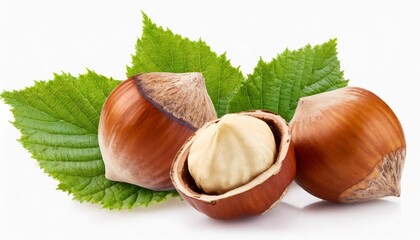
x=349, y=146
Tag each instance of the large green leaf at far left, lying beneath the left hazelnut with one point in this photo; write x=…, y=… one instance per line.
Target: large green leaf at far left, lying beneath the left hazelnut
x=59, y=120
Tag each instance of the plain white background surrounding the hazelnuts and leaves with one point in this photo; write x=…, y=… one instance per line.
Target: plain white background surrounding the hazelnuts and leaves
x=378, y=44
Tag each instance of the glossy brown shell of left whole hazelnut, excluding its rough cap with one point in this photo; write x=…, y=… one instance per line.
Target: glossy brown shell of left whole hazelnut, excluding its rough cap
x=130, y=131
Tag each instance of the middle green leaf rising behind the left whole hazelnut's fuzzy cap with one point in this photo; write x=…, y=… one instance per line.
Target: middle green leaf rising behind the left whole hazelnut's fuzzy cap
x=161, y=50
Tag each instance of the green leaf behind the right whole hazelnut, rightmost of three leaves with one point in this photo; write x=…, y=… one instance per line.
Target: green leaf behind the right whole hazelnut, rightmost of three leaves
x=278, y=85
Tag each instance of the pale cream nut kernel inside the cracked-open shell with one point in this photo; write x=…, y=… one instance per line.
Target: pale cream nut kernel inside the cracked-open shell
x=230, y=153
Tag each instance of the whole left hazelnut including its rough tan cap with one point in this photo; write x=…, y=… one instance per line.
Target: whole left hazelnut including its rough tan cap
x=145, y=121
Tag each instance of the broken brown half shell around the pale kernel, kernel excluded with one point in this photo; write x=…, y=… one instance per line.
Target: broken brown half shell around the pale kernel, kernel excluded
x=253, y=198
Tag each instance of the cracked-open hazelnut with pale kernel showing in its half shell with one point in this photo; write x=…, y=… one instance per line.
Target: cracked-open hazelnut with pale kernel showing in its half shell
x=213, y=145
